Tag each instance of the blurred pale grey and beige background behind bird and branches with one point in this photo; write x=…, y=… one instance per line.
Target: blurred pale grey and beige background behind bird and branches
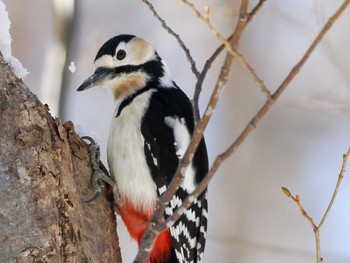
x=299, y=144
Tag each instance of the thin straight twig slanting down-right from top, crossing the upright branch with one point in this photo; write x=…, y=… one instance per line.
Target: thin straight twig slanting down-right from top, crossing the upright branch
x=233, y=51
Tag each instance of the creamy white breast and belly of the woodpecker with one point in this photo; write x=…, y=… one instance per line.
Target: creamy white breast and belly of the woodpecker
x=126, y=158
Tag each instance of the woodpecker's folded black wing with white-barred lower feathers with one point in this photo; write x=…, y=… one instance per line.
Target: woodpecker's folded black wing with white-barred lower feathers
x=188, y=233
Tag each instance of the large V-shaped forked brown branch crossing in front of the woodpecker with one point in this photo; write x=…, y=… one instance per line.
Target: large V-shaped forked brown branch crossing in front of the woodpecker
x=151, y=233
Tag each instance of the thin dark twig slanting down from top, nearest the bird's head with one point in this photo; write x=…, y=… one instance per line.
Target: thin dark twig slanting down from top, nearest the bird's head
x=177, y=37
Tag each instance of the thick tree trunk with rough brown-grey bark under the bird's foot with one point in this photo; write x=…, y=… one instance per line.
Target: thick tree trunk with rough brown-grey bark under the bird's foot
x=44, y=176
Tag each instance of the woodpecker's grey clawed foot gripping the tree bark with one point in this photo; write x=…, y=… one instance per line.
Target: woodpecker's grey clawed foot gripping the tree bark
x=100, y=174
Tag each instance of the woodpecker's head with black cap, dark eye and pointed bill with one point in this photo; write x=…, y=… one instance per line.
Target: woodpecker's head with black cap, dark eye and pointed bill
x=125, y=64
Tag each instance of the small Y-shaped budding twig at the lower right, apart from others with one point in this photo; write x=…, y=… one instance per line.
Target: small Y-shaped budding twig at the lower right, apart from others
x=317, y=229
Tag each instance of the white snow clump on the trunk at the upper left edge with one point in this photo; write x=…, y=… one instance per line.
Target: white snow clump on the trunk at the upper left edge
x=5, y=44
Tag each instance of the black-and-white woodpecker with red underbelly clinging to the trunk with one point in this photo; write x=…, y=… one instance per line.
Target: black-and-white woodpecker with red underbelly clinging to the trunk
x=150, y=130
